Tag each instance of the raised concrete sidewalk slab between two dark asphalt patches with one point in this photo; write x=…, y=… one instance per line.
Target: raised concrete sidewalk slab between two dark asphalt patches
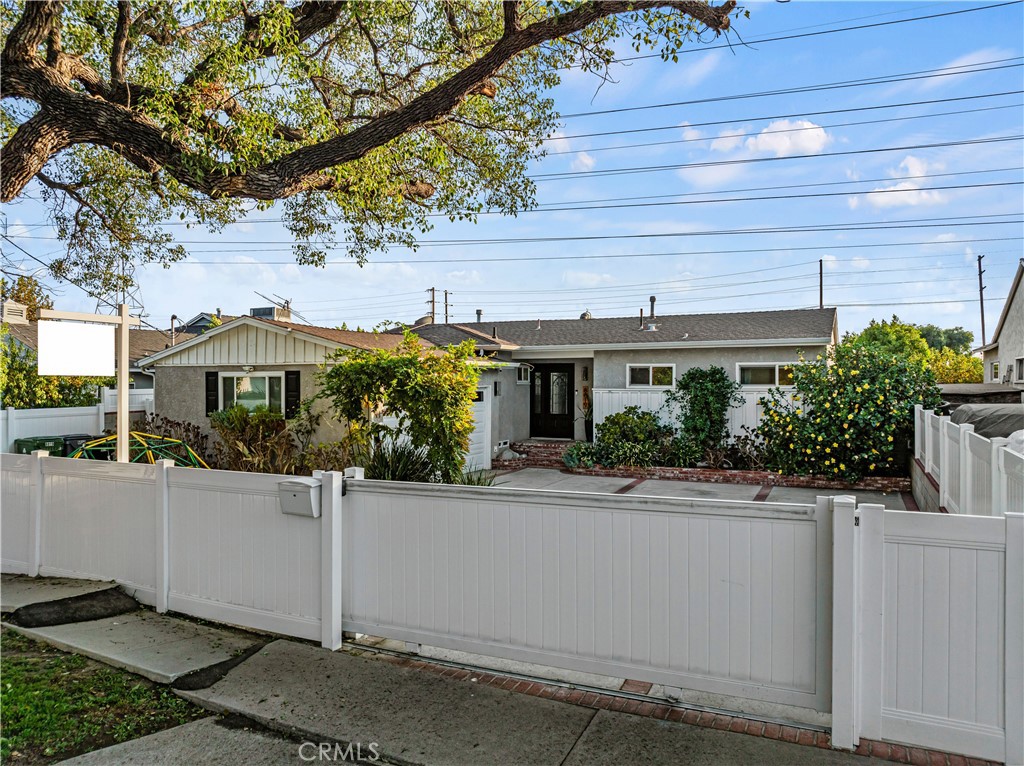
x=156, y=647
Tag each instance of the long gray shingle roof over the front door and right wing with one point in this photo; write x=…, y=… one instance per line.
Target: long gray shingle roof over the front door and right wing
x=798, y=326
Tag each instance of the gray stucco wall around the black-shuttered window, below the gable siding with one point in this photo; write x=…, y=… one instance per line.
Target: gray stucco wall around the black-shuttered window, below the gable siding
x=181, y=395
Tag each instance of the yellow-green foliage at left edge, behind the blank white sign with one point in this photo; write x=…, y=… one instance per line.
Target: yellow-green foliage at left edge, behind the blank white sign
x=23, y=389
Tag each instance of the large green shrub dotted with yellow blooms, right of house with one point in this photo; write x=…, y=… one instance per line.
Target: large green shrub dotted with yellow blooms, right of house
x=851, y=416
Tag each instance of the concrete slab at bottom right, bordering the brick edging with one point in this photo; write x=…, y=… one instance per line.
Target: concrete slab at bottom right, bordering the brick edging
x=616, y=739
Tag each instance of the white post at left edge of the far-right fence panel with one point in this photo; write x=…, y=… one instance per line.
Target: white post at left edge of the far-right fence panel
x=871, y=616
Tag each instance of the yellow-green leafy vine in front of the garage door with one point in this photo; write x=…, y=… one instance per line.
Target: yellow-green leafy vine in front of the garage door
x=431, y=393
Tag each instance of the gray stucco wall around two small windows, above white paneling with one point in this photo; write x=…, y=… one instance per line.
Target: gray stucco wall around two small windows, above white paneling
x=610, y=367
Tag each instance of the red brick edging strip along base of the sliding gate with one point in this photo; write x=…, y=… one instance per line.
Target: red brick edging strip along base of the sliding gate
x=665, y=712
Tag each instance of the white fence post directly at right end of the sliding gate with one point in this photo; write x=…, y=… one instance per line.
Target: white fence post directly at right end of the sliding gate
x=844, y=734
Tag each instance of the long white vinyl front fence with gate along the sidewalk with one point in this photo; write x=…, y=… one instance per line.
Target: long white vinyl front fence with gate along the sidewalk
x=906, y=627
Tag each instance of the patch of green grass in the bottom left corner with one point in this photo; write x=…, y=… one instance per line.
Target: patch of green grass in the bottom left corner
x=56, y=705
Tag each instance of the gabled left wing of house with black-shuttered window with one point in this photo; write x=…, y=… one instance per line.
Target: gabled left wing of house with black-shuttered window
x=250, y=361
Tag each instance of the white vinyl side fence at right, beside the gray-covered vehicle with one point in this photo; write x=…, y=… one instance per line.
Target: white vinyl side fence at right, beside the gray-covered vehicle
x=976, y=477
